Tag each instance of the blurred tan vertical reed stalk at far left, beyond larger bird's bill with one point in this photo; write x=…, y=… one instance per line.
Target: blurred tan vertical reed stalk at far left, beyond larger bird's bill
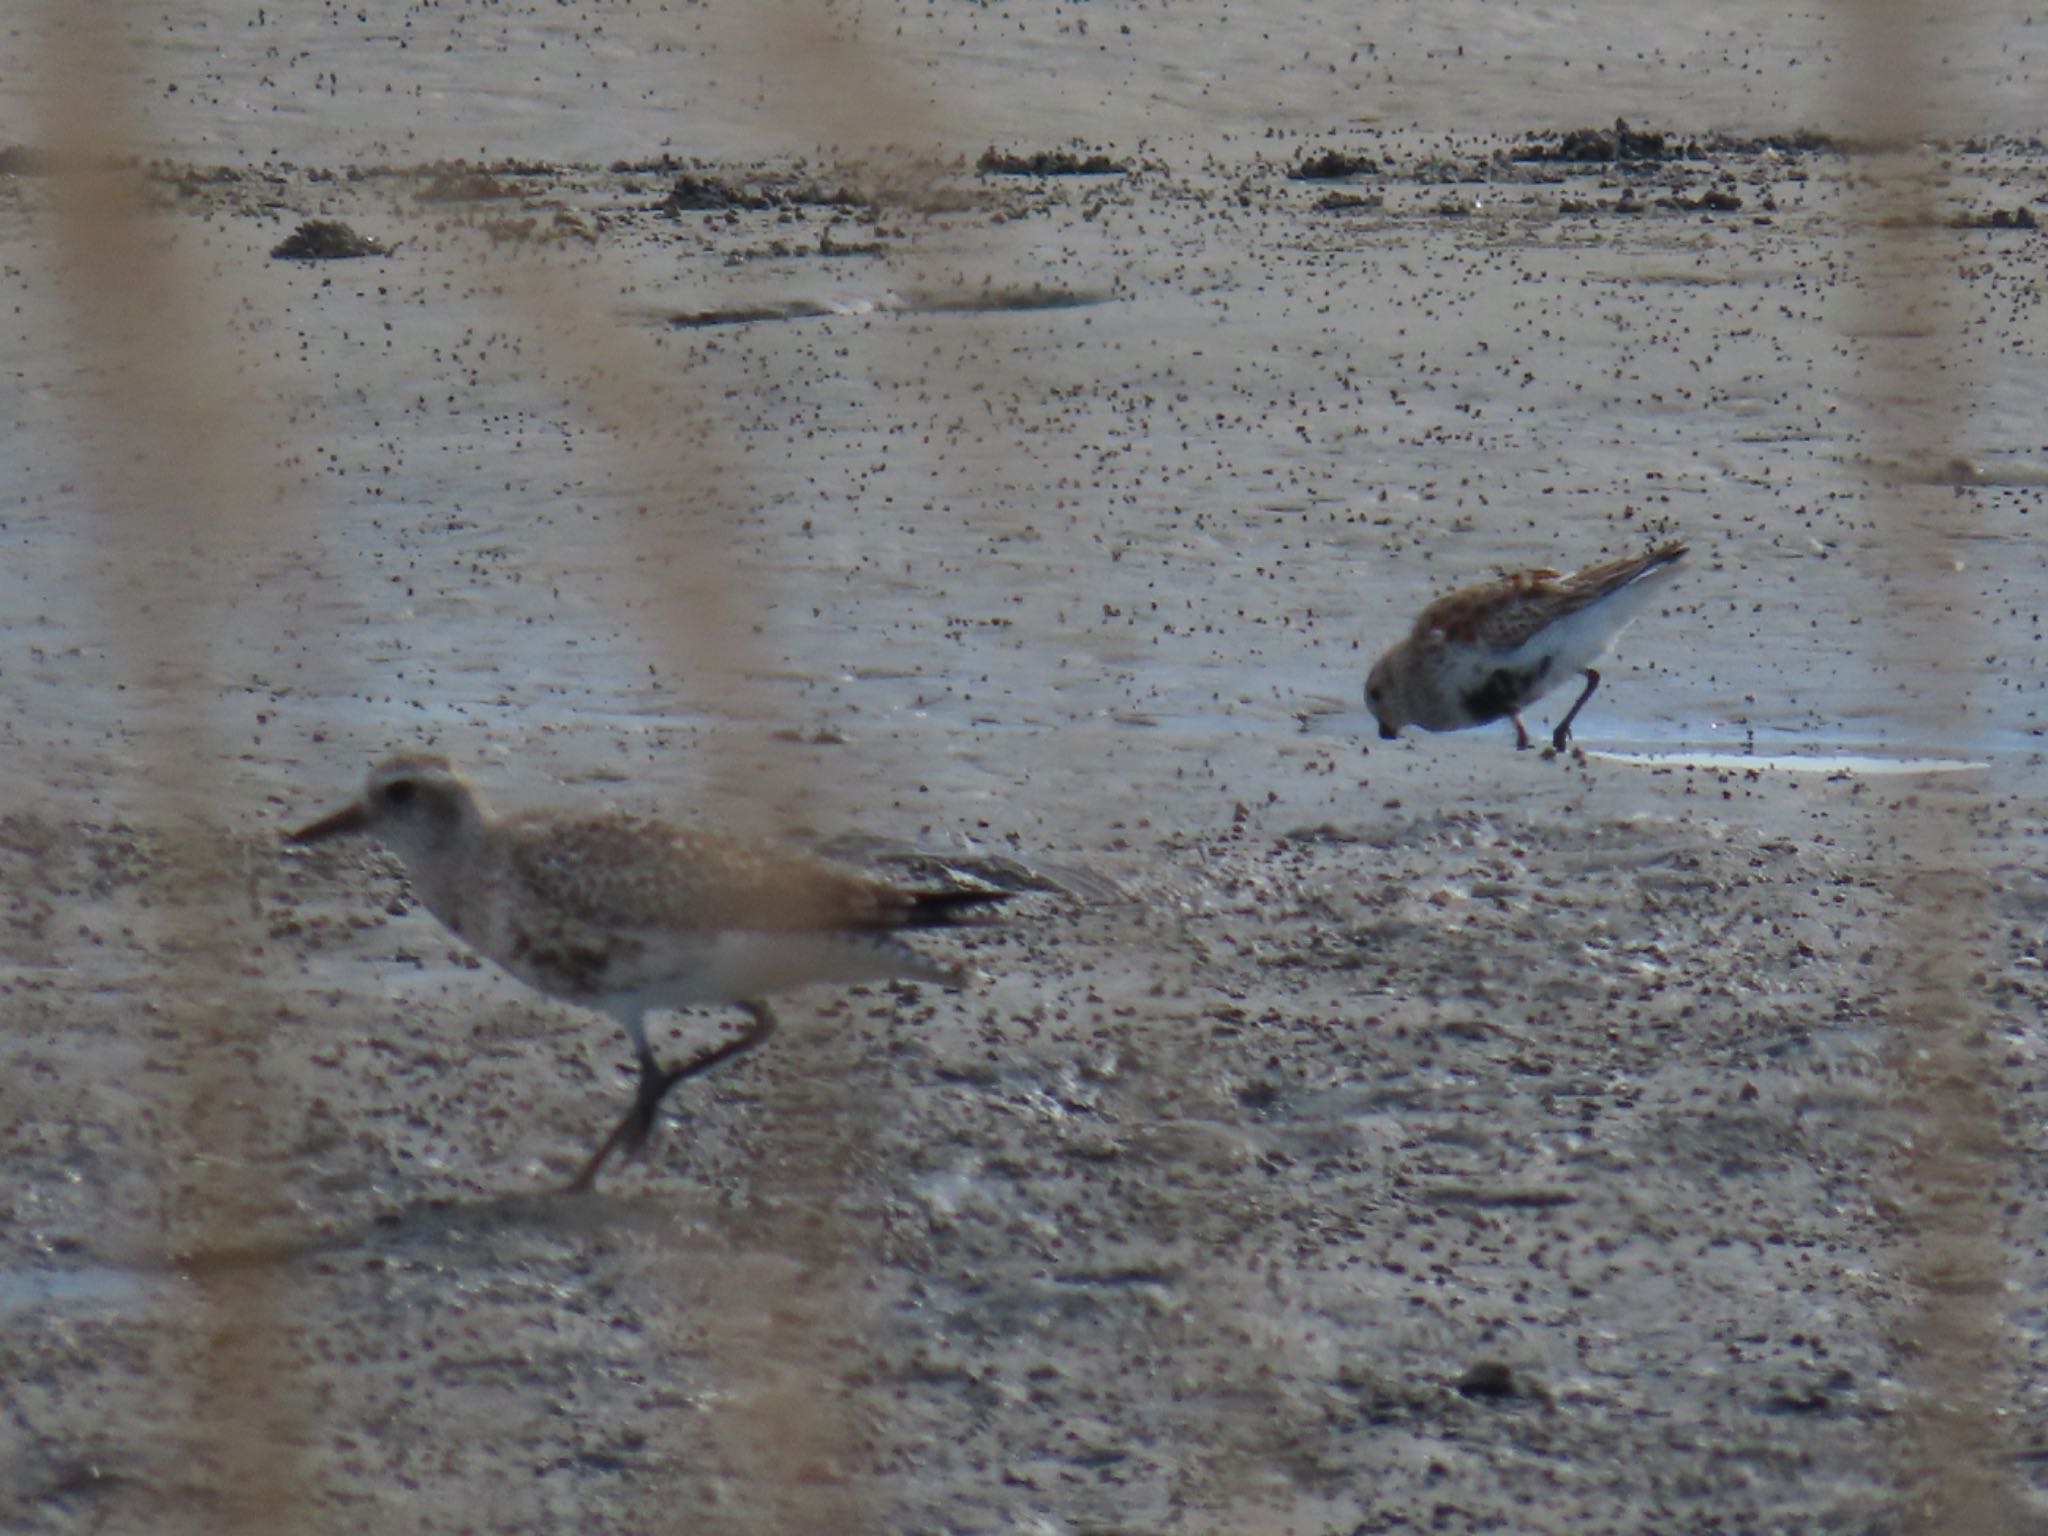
x=167, y=476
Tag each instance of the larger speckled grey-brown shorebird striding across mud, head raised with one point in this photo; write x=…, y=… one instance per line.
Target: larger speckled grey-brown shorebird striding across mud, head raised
x=632, y=916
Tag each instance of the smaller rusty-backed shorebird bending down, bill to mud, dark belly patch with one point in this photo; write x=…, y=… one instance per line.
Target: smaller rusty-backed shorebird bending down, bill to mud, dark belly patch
x=1492, y=650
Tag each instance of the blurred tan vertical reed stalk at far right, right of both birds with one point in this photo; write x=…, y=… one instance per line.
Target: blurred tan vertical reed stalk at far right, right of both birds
x=1955, y=1465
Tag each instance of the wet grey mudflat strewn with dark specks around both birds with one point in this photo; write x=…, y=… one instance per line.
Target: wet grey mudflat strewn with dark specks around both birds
x=1340, y=1136
